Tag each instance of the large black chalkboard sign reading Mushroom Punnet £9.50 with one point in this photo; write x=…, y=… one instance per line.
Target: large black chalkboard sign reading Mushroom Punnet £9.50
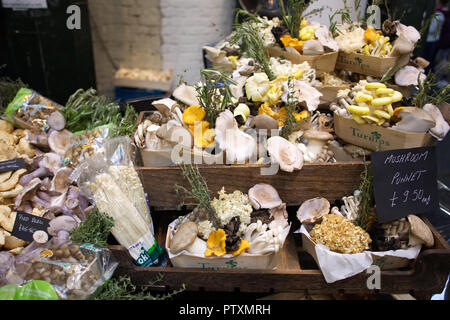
x=405, y=182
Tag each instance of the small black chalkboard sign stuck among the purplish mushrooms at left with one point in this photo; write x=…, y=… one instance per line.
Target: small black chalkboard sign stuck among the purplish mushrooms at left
x=27, y=224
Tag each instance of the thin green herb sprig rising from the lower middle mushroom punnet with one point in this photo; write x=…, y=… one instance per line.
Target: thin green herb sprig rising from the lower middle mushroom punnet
x=199, y=191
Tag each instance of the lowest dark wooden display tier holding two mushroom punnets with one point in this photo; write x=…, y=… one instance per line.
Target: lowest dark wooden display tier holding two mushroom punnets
x=296, y=271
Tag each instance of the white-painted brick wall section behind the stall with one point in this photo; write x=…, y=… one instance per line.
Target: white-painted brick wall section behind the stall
x=188, y=25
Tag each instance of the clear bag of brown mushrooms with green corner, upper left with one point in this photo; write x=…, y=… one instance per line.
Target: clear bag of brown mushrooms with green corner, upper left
x=30, y=110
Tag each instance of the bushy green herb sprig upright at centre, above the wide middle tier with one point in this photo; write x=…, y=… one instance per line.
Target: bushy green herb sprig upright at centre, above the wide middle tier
x=214, y=93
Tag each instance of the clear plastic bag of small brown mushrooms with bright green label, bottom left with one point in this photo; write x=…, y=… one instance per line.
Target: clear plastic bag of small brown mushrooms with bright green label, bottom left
x=65, y=271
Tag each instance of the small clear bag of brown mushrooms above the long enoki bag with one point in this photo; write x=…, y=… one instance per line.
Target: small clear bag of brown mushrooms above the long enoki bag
x=83, y=144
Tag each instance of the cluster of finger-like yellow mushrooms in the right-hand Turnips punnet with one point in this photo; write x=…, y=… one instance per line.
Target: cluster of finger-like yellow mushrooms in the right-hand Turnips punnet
x=373, y=103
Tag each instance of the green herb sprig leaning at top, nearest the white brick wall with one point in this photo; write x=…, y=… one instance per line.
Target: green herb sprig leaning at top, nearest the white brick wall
x=247, y=36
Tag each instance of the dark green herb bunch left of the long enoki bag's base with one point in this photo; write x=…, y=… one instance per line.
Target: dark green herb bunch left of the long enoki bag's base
x=95, y=229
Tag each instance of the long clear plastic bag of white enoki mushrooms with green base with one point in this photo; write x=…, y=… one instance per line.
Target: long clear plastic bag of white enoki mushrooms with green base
x=111, y=182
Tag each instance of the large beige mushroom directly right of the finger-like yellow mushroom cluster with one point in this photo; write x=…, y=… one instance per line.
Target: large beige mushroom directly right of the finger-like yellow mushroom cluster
x=414, y=120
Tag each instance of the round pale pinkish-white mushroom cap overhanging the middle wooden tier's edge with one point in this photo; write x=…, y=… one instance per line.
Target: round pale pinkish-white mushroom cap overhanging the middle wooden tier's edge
x=285, y=153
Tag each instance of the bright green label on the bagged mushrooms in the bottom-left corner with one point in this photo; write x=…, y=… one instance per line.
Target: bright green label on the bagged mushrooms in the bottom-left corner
x=33, y=290
